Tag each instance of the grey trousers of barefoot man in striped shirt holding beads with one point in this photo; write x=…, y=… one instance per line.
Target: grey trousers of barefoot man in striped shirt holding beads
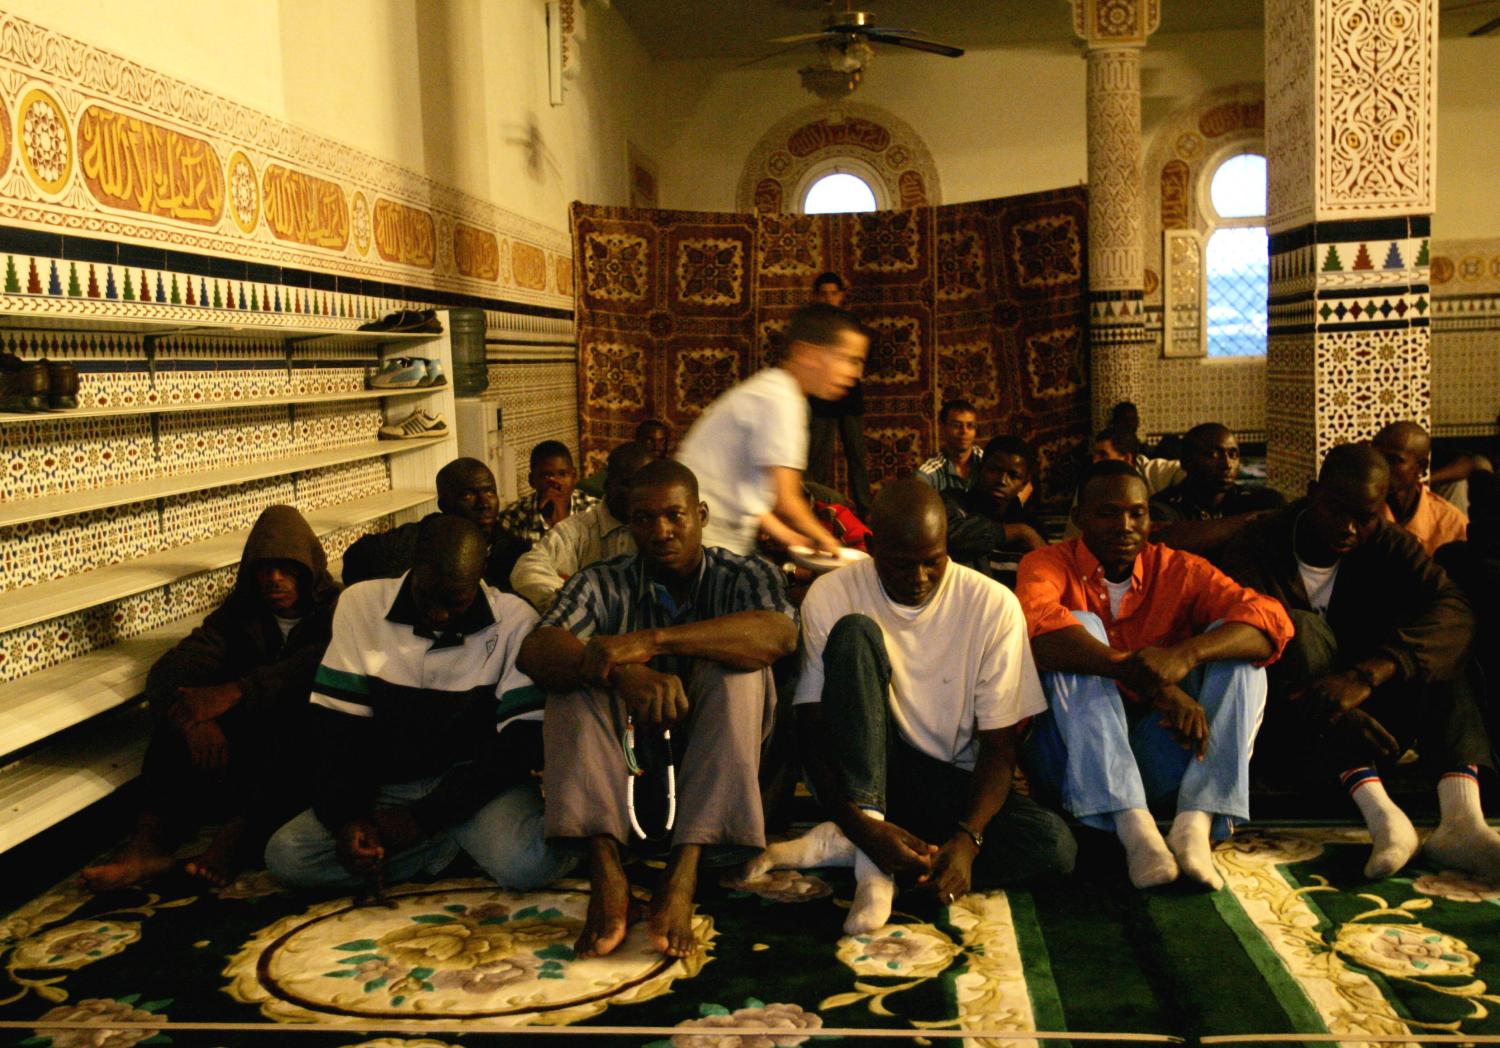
x=718, y=762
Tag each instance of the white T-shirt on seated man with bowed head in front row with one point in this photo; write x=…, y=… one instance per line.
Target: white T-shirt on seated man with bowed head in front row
x=961, y=663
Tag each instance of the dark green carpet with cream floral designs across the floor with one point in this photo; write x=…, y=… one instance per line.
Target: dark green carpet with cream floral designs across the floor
x=1298, y=942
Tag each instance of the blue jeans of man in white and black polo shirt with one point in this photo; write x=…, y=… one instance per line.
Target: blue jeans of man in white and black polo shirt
x=505, y=839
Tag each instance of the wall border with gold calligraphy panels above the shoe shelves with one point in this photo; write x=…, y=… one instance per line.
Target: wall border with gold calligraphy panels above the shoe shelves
x=199, y=172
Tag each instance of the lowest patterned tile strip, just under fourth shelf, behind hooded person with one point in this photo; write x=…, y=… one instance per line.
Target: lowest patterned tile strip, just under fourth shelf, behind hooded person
x=55, y=642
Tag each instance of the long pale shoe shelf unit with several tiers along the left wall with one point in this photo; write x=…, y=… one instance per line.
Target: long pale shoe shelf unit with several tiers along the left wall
x=74, y=731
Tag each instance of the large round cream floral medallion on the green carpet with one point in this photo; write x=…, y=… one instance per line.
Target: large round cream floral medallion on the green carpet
x=458, y=950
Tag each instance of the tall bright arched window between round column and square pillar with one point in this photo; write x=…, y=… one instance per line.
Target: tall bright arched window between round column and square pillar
x=1237, y=262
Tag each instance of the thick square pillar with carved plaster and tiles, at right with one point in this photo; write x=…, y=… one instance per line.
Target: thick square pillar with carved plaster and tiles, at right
x=1351, y=125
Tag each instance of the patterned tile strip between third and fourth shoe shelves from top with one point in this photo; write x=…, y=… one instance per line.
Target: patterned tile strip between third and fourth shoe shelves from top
x=43, y=551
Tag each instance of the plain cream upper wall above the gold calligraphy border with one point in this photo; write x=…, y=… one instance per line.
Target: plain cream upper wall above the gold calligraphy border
x=452, y=89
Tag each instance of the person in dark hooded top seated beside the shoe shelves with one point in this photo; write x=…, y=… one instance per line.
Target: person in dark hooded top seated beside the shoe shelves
x=232, y=695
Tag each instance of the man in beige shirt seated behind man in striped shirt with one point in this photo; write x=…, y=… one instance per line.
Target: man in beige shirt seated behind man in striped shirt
x=596, y=534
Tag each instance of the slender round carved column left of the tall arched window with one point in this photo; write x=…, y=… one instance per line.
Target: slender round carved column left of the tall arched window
x=1115, y=34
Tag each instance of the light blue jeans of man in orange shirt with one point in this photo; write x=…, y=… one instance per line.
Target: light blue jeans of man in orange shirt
x=1087, y=752
